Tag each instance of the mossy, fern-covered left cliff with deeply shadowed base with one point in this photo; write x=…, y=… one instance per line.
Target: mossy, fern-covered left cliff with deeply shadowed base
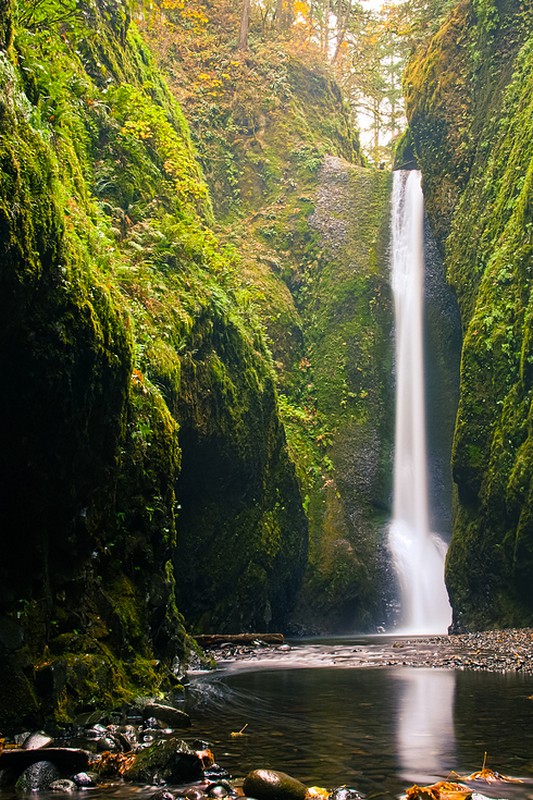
x=131, y=354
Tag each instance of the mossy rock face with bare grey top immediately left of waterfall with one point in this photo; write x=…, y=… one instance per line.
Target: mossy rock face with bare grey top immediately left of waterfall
x=346, y=310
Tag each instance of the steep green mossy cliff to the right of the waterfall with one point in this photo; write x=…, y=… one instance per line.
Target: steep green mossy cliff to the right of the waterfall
x=470, y=110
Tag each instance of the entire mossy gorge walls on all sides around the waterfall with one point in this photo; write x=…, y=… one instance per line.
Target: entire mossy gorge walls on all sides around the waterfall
x=197, y=330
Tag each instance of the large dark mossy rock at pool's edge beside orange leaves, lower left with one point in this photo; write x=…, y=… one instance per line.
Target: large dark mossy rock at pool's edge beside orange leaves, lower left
x=166, y=761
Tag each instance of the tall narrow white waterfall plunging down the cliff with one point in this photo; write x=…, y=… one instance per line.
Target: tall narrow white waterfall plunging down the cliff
x=418, y=554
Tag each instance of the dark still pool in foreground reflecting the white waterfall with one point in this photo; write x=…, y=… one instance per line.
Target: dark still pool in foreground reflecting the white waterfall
x=379, y=730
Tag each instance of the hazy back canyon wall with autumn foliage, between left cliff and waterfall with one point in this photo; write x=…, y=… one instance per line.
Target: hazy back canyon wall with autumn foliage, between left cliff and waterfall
x=287, y=183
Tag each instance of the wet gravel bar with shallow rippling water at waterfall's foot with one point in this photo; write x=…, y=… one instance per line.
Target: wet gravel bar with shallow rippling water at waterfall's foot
x=493, y=651
